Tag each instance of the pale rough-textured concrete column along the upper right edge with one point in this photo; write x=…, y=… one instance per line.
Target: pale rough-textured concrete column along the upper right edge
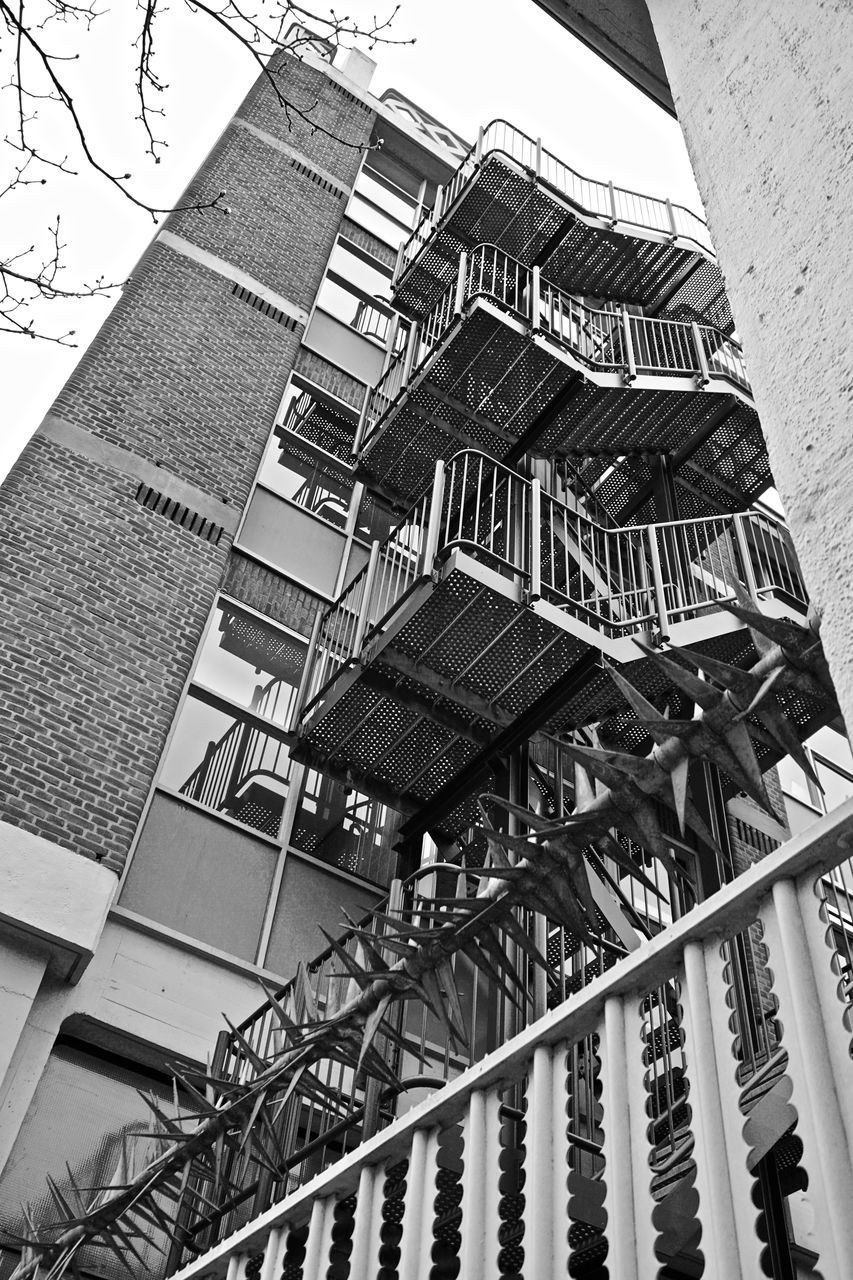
x=764, y=94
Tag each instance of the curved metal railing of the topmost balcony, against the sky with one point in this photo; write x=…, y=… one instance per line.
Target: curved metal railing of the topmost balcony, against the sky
x=591, y=196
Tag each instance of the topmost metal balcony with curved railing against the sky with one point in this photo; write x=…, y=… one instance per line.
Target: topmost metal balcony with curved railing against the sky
x=590, y=237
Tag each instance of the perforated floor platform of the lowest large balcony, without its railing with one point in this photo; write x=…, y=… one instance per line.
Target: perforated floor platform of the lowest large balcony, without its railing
x=467, y=651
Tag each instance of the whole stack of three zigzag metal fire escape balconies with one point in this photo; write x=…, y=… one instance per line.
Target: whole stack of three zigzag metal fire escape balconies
x=554, y=322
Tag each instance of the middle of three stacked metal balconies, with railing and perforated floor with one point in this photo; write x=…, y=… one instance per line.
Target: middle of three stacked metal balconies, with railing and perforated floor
x=507, y=363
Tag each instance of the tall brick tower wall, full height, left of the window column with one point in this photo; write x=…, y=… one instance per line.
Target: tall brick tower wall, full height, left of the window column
x=104, y=601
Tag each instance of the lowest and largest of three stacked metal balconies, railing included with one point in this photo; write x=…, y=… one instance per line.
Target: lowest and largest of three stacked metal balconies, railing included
x=489, y=596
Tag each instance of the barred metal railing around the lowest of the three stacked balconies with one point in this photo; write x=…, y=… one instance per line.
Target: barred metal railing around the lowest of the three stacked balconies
x=621, y=580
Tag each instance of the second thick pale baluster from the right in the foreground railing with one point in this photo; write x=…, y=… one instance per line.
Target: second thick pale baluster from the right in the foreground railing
x=728, y=1215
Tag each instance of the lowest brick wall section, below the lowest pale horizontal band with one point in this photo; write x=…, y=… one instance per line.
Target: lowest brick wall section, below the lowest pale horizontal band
x=102, y=604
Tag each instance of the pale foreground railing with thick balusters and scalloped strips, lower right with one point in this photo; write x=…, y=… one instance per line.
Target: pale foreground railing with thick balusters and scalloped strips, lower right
x=628, y=1094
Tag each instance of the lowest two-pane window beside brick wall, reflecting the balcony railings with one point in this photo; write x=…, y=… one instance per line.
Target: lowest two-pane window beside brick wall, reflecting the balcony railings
x=227, y=752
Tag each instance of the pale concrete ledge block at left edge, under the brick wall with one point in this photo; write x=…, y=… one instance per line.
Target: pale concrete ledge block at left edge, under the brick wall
x=53, y=899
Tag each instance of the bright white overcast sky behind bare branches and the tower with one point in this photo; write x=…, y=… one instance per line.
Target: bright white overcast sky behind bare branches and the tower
x=473, y=61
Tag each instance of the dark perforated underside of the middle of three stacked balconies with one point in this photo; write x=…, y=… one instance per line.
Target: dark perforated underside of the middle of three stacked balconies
x=489, y=383
